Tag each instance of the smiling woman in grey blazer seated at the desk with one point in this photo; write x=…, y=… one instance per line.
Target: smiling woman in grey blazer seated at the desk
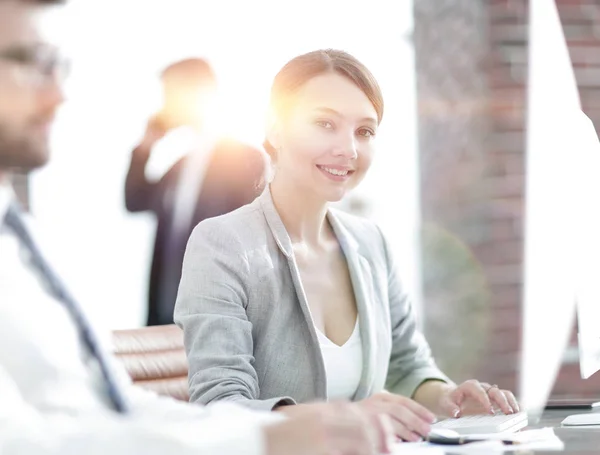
x=287, y=301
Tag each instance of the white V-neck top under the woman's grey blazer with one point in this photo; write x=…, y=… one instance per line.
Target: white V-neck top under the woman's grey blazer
x=343, y=364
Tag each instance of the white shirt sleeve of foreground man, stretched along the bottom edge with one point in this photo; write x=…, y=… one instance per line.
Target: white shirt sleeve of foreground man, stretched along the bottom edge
x=222, y=429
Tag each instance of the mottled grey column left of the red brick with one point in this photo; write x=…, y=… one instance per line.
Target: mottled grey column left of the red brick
x=453, y=130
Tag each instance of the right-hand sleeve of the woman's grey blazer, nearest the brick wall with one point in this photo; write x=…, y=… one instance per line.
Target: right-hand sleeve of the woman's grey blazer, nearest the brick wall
x=411, y=362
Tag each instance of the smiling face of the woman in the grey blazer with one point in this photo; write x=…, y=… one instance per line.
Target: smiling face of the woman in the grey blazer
x=326, y=141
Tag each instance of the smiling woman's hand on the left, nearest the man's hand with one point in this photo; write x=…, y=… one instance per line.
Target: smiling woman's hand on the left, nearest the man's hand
x=410, y=420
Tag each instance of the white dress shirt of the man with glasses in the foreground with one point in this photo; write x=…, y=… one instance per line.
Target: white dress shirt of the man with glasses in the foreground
x=52, y=395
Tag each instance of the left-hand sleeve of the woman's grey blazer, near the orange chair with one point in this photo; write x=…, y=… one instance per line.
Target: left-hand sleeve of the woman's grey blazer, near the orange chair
x=211, y=310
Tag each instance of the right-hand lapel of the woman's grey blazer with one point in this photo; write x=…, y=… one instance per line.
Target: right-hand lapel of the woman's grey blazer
x=360, y=273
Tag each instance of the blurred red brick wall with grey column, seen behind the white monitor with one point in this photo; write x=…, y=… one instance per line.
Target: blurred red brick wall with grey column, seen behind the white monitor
x=471, y=69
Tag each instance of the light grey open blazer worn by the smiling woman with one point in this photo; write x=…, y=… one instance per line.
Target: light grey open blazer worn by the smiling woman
x=247, y=328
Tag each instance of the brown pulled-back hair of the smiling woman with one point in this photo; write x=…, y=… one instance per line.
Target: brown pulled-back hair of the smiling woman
x=303, y=68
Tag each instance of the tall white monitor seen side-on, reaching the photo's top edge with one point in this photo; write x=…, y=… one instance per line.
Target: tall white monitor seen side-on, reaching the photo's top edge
x=554, y=121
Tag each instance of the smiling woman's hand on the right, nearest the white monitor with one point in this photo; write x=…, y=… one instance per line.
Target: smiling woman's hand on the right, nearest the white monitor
x=474, y=397
